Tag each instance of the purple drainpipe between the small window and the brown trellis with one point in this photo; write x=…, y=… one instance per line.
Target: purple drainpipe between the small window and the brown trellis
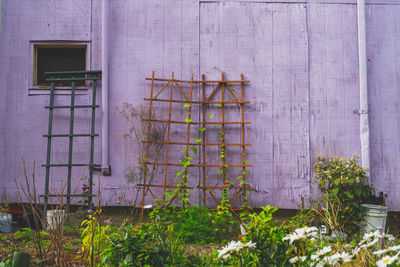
x=105, y=167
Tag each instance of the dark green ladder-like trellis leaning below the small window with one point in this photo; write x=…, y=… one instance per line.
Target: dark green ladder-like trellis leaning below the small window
x=93, y=76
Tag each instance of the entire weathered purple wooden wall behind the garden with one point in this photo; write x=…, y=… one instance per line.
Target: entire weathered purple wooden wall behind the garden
x=301, y=58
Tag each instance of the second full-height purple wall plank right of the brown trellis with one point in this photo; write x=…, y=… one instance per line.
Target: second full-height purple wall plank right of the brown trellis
x=282, y=143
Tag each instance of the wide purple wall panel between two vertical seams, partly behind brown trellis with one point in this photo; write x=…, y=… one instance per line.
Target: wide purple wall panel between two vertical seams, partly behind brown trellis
x=270, y=42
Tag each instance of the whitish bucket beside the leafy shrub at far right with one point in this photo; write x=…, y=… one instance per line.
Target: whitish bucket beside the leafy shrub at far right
x=375, y=217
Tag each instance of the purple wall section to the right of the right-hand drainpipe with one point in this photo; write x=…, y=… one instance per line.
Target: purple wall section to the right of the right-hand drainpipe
x=383, y=41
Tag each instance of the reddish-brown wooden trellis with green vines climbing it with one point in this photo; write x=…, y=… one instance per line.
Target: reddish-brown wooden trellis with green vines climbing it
x=202, y=104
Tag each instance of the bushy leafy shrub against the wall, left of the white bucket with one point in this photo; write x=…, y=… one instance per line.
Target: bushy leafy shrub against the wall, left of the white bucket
x=344, y=186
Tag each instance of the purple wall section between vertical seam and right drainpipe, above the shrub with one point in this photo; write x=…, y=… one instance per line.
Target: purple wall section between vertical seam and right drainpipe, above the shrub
x=334, y=91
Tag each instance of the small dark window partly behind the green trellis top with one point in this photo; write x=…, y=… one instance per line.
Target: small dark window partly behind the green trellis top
x=58, y=58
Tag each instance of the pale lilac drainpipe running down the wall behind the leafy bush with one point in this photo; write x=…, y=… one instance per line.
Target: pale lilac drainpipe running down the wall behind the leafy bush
x=362, y=62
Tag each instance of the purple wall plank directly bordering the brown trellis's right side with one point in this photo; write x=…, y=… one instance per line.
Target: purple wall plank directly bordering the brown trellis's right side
x=261, y=132
